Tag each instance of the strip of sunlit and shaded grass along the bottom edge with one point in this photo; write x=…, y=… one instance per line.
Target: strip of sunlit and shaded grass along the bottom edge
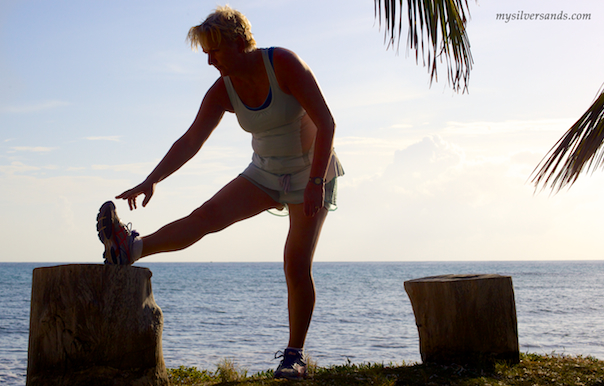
x=532, y=370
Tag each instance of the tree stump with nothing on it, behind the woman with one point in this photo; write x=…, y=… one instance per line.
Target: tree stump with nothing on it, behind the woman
x=465, y=319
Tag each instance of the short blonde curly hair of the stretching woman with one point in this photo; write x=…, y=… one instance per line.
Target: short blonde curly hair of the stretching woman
x=224, y=22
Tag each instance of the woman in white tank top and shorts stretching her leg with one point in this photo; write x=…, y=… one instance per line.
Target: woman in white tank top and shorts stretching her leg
x=276, y=98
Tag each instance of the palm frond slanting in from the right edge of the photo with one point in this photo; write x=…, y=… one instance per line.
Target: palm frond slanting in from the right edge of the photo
x=579, y=147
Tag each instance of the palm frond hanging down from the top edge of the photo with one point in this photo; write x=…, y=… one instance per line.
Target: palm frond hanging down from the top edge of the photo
x=437, y=29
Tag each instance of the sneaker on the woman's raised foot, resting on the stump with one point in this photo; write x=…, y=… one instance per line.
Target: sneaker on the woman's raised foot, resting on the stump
x=116, y=236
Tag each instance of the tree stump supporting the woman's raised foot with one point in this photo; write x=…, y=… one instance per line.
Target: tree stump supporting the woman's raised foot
x=94, y=325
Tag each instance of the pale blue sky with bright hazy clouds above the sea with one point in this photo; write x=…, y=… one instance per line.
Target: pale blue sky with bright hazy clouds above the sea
x=93, y=94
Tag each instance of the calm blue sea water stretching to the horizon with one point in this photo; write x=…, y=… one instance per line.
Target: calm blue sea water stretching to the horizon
x=214, y=311
